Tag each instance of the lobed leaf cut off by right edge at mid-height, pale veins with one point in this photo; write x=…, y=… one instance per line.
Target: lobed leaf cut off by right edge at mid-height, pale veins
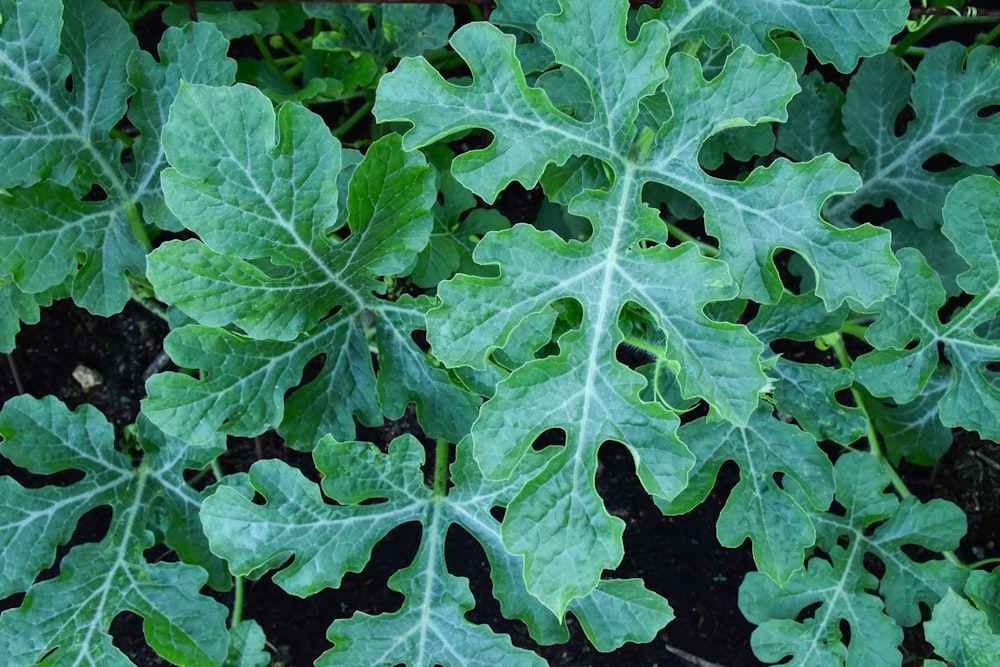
x=902, y=370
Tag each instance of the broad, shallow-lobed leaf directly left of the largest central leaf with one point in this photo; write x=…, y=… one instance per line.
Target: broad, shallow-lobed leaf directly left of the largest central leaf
x=267, y=261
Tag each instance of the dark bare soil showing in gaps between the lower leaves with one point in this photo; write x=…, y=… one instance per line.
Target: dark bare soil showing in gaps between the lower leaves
x=678, y=557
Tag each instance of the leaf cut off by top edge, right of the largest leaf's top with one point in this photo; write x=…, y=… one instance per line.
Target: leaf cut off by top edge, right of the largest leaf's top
x=840, y=32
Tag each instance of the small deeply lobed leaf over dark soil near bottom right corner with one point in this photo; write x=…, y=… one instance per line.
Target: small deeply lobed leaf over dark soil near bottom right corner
x=838, y=589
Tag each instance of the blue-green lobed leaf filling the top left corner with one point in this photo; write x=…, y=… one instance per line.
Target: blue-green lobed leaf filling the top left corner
x=76, y=223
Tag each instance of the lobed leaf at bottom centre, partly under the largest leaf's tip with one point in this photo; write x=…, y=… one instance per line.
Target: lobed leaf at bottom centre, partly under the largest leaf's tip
x=328, y=541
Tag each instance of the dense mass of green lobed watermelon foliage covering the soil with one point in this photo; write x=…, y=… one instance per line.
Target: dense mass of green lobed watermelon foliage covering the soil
x=719, y=185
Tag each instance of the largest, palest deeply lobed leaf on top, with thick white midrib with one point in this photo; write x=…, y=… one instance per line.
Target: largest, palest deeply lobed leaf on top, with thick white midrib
x=583, y=390
